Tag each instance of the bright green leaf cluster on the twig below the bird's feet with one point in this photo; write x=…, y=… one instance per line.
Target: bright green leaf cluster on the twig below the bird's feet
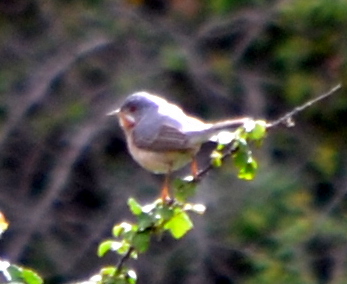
x=131, y=239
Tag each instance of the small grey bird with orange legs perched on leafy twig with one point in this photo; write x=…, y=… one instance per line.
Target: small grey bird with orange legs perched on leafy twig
x=161, y=137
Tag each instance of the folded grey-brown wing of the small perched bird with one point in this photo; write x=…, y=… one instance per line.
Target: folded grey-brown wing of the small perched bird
x=163, y=135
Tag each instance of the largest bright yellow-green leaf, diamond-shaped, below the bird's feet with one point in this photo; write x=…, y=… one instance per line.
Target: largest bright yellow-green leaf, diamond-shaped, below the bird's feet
x=179, y=224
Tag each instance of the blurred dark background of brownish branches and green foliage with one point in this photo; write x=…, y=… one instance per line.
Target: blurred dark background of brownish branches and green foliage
x=66, y=174
